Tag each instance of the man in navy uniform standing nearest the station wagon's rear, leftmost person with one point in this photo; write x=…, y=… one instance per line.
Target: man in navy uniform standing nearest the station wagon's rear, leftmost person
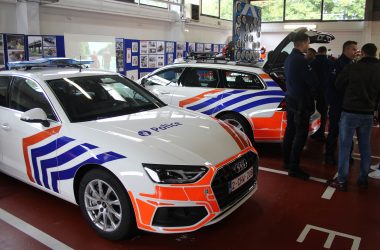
x=300, y=84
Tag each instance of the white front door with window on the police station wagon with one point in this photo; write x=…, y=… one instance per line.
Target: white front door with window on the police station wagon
x=163, y=83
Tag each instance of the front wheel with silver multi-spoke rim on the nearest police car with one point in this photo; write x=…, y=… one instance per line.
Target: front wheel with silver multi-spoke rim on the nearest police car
x=106, y=206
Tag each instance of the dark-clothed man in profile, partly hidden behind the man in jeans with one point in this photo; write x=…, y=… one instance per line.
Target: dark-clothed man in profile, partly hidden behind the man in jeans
x=334, y=100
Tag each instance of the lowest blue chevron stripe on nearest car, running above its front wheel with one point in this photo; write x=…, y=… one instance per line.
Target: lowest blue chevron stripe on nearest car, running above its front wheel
x=69, y=173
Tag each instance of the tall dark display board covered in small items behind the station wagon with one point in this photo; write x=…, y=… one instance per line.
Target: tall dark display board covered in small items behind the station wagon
x=246, y=32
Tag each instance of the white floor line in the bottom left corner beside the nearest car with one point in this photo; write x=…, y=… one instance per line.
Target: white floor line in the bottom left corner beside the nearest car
x=33, y=232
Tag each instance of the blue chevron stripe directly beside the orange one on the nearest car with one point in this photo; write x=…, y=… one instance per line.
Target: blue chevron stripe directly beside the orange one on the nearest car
x=44, y=150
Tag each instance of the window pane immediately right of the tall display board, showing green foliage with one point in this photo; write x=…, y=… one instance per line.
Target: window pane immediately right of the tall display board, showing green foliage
x=272, y=10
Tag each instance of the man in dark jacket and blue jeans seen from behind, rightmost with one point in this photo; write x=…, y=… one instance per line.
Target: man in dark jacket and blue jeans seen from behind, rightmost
x=359, y=84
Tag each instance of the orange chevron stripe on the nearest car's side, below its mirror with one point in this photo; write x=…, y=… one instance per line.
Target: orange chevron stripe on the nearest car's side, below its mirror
x=27, y=141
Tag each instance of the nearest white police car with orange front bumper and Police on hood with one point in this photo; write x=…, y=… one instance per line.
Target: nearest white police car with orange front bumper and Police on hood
x=101, y=141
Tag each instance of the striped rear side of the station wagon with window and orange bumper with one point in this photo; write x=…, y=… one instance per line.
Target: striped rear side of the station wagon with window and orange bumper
x=255, y=101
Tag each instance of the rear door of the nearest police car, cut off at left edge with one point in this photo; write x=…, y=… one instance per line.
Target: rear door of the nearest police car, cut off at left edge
x=5, y=82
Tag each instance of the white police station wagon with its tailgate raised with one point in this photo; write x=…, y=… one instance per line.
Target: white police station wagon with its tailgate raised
x=249, y=98
